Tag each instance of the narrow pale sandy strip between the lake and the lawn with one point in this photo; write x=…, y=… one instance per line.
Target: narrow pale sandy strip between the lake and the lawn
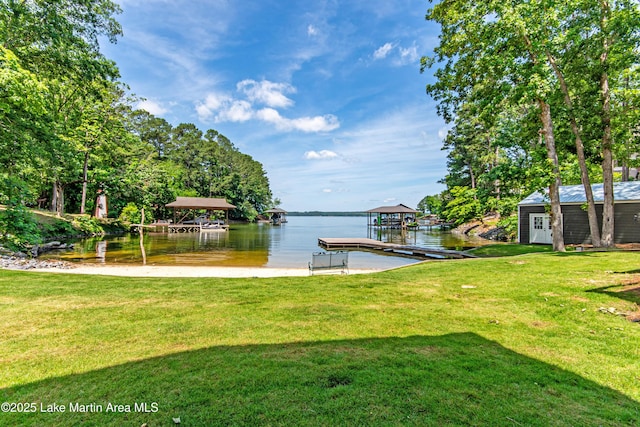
x=188, y=271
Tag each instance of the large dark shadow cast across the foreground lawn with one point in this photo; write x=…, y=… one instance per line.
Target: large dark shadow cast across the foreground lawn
x=455, y=379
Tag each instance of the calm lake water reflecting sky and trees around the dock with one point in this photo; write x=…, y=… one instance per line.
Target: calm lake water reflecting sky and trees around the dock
x=257, y=245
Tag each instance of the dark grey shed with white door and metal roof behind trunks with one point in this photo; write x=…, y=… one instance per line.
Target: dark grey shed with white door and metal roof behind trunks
x=534, y=224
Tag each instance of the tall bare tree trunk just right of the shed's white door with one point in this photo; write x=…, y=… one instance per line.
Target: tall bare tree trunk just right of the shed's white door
x=554, y=187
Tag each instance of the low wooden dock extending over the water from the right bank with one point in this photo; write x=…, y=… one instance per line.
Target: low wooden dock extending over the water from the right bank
x=330, y=243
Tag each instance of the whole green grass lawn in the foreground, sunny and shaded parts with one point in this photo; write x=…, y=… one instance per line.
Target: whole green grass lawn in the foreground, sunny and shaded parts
x=528, y=340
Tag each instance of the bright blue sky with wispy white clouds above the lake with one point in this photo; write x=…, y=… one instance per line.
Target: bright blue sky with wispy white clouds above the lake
x=327, y=95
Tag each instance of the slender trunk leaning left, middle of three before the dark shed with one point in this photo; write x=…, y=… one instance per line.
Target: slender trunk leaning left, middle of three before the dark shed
x=584, y=172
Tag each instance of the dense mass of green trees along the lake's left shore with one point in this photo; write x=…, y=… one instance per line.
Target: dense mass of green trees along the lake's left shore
x=67, y=126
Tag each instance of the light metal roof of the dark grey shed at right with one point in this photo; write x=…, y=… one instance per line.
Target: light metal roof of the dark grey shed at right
x=622, y=192
